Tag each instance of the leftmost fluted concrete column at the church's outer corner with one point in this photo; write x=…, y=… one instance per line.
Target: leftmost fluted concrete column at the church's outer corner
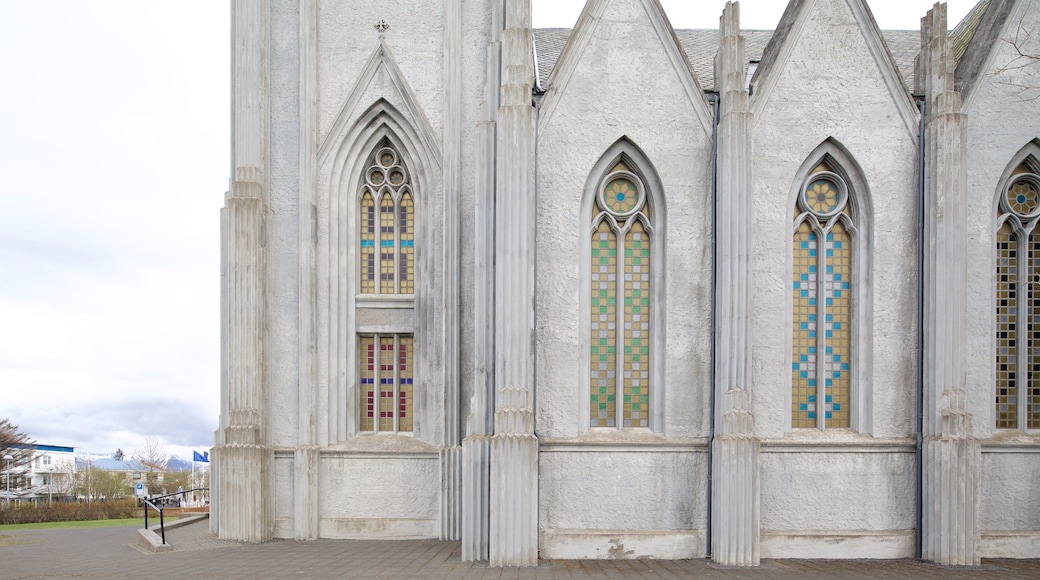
x=244, y=460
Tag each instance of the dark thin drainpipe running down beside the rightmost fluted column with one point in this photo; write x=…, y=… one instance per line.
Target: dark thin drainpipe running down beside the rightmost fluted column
x=921, y=330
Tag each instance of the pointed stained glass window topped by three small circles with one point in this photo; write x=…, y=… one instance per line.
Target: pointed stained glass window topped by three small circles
x=391, y=270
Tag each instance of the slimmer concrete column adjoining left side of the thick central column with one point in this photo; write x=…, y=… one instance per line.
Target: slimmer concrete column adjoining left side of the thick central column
x=480, y=425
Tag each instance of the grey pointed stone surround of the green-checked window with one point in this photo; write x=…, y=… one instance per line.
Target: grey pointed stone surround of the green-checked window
x=626, y=160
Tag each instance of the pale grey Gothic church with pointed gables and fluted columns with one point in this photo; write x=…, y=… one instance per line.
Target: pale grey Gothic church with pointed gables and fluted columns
x=629, y=292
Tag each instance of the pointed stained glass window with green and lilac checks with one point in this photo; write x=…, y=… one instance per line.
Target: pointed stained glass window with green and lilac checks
x=621, y=295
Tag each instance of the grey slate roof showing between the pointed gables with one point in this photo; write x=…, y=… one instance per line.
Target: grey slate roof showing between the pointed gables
x=701, y=46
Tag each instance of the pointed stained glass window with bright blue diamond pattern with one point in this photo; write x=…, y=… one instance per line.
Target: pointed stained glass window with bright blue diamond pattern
x=822, y=342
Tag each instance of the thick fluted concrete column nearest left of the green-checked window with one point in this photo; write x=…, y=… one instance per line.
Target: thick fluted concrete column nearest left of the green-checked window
x=514, y=447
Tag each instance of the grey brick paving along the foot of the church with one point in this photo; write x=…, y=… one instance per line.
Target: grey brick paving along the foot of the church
x=111, y=553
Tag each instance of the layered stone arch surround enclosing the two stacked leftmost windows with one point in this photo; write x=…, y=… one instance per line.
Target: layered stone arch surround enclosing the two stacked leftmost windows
x=382, y=125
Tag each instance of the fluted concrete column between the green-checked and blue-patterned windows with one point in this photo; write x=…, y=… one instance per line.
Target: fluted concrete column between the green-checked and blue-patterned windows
x=736, y=487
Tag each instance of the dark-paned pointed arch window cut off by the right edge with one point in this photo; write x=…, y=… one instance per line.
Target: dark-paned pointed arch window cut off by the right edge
x=1019, y=301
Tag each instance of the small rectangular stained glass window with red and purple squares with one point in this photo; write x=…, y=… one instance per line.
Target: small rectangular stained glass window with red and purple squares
x=386, y=383
